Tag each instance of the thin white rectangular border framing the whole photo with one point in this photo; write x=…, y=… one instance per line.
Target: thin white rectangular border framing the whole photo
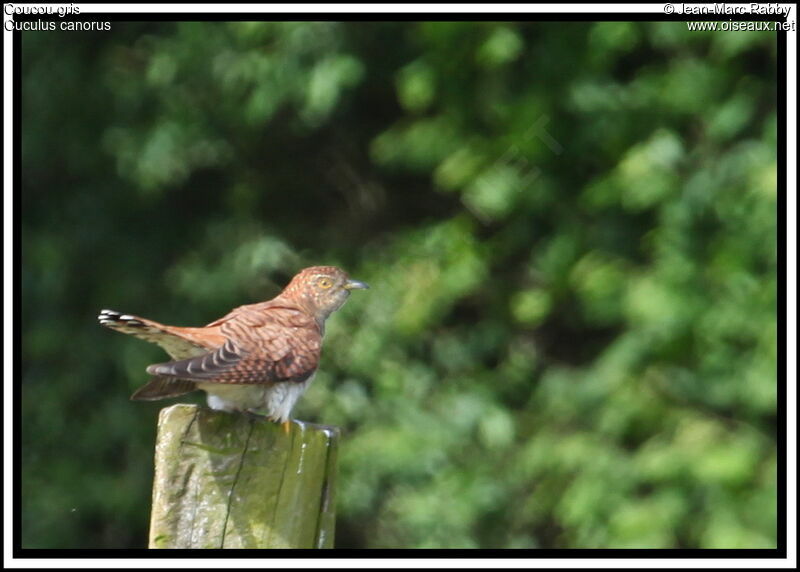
x=344, y=9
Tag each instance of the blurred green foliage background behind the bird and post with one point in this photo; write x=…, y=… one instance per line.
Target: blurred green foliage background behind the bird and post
x=569, y=229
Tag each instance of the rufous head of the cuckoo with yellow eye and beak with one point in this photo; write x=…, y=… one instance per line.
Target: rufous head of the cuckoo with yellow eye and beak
x=322, y=289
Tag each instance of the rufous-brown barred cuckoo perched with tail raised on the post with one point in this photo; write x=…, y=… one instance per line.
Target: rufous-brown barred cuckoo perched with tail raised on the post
x=258, y=357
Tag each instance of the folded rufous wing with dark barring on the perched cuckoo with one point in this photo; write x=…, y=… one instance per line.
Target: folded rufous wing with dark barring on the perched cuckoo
x=280, y=344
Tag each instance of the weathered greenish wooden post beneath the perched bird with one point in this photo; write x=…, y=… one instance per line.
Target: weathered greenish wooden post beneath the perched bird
x=225, y=480
